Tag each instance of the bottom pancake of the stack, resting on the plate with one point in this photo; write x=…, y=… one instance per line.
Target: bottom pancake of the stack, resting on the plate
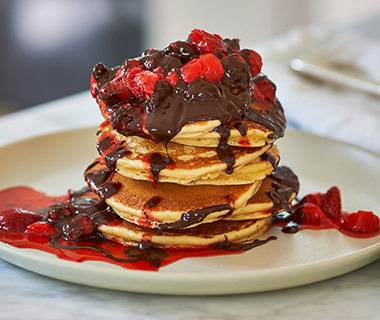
x=203, y=235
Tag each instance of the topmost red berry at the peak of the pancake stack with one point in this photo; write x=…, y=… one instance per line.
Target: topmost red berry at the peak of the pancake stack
x=207, y=42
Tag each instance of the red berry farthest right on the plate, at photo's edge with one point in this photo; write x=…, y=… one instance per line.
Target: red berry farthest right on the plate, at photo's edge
x=361, y=221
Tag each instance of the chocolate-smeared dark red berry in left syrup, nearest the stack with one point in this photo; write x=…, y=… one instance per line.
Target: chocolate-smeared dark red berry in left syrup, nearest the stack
x=78, y=228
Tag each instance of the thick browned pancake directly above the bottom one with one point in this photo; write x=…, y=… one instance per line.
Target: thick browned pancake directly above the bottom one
x=169, y=205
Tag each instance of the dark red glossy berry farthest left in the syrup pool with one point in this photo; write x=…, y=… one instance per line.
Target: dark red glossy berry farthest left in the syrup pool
x=15, y=221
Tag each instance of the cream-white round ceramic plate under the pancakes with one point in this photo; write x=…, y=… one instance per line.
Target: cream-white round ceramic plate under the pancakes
x=55, y=163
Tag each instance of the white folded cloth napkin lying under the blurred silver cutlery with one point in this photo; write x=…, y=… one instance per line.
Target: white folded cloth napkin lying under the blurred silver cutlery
x=323, y=109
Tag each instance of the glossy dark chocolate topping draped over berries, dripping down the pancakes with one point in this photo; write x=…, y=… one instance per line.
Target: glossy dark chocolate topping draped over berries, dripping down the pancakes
x=159, y=112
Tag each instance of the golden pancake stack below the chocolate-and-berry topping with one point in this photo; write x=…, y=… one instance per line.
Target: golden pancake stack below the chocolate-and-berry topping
x=195, y=203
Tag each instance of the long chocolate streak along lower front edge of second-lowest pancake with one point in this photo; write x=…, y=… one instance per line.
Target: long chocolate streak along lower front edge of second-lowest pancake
x=192, y=217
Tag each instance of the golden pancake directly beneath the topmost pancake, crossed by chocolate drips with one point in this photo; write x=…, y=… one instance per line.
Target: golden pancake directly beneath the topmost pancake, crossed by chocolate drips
x=192, y=165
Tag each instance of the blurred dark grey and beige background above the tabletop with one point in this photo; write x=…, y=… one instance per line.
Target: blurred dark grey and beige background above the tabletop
x=48, y=47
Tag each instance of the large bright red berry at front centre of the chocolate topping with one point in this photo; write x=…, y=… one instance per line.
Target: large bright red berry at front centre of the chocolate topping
x=206, y=66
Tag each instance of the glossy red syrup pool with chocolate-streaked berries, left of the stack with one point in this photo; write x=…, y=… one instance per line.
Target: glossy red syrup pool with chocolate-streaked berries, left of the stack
x=76, y=241
